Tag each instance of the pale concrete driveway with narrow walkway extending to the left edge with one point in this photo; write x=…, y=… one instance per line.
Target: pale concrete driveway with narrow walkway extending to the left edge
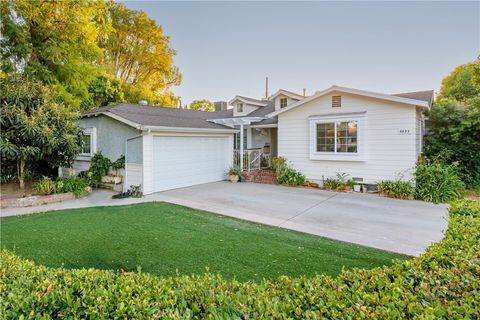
x=396, y=225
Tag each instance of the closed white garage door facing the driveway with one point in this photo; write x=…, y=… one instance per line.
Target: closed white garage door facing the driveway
x=185, y=161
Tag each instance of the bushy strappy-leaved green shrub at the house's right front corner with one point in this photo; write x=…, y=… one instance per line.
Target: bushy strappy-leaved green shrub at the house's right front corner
x=437, y=182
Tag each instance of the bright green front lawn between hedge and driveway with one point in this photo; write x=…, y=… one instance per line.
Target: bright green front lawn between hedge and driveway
x=164, y=238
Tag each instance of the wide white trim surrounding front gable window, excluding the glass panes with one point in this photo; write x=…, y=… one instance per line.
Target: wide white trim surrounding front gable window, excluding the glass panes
x=338, y=156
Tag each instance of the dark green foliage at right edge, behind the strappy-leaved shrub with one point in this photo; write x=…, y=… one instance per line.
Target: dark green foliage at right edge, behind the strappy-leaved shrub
x=454, y=135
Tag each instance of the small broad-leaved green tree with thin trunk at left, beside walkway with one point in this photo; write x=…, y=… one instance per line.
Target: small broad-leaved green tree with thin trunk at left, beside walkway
x=35, y=125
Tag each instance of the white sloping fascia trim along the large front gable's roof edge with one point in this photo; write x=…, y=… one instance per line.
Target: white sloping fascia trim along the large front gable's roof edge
x=334, y=88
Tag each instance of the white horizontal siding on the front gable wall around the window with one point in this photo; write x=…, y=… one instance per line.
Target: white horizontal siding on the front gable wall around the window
x=387, y=153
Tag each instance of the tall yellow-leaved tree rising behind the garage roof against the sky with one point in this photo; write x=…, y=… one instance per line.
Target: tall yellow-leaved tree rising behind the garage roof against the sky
x=138, y=53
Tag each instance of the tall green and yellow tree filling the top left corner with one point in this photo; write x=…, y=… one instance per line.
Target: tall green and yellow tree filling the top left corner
x=55, y=42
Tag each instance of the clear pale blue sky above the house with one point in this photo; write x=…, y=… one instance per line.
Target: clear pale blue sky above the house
x=227, y=48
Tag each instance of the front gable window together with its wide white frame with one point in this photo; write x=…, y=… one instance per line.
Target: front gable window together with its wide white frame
x=336, y=138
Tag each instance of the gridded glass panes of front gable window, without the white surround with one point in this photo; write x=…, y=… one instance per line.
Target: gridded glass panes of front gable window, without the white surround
x=337, y=137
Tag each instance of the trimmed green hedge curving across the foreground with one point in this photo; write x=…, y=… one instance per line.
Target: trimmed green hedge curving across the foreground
x=442, y=283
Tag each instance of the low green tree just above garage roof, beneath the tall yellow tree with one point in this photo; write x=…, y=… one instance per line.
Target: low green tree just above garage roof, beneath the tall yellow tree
x=103, y=91
